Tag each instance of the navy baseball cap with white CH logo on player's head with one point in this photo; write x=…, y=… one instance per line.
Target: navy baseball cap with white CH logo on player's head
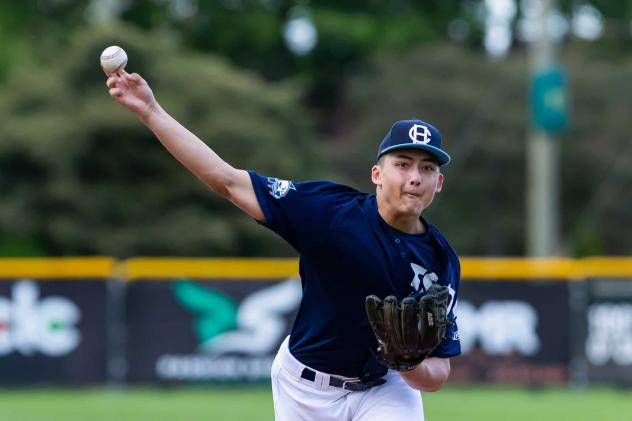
x=414, y=134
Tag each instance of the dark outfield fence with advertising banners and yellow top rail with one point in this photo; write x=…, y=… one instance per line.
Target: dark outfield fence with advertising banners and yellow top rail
x=96, y=320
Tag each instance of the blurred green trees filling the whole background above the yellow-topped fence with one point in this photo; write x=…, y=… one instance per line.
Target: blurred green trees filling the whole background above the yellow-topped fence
x=367, y=69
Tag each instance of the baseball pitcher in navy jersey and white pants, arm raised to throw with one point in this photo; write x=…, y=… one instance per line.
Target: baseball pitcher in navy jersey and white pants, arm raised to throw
x=345, y=358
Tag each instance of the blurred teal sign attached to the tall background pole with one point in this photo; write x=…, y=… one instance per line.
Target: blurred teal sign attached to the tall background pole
x=549, y=100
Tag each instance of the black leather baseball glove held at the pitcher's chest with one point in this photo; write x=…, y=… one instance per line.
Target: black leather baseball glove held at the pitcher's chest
x=408, y=330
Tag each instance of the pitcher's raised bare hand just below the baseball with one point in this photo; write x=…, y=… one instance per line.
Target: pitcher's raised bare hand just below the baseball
x=132, y=92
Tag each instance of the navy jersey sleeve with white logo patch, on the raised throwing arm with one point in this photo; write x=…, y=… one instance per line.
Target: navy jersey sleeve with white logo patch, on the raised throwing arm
x=300, y=212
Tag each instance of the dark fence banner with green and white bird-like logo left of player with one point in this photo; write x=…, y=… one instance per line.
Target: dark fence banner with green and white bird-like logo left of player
x=207, y=330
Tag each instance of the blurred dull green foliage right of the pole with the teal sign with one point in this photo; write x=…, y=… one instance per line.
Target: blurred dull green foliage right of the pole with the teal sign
x=597, y=157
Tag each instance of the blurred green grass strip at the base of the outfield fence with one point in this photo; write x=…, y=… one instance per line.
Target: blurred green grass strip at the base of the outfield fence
x=255, y=404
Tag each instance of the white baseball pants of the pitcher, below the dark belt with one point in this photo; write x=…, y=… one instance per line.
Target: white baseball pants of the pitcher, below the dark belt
x=296, y=398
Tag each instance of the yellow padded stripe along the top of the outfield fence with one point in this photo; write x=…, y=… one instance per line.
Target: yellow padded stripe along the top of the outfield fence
x=492, y=269
